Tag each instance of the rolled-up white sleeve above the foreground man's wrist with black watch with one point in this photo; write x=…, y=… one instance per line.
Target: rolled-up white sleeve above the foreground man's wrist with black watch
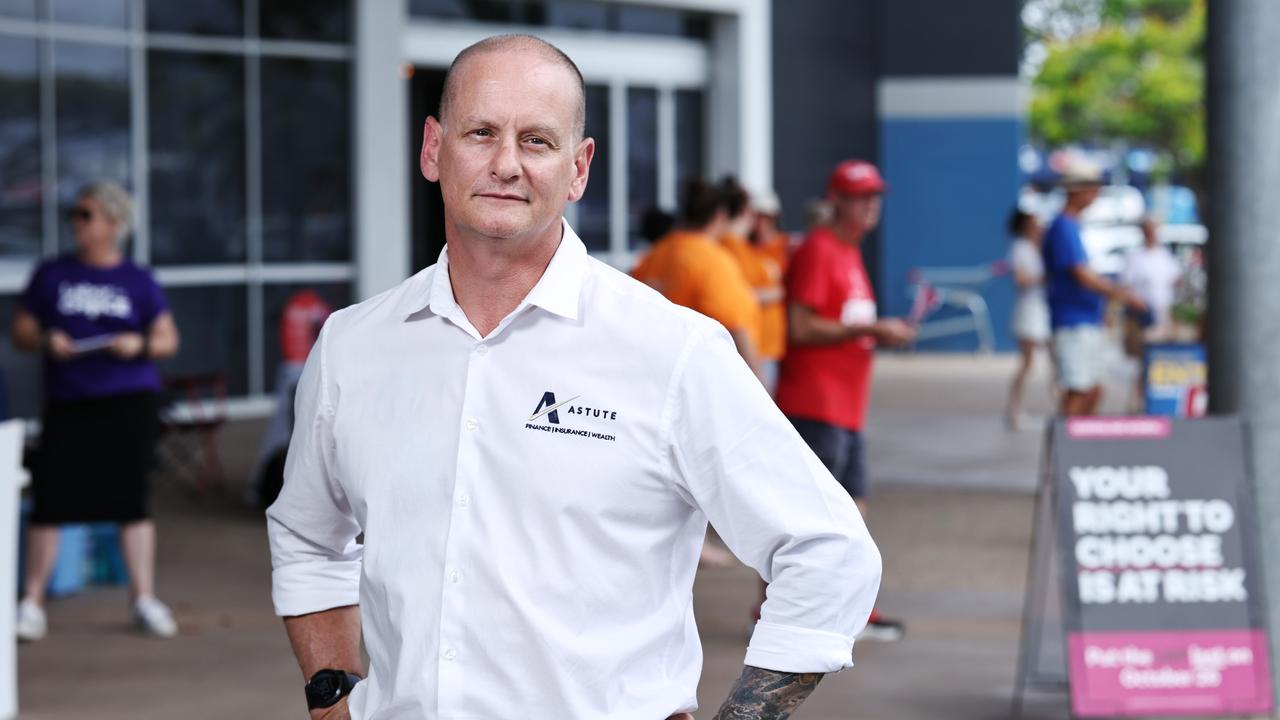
x=316, y=559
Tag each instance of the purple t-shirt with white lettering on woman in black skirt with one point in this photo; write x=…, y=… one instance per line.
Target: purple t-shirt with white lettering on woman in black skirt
x=94, y=303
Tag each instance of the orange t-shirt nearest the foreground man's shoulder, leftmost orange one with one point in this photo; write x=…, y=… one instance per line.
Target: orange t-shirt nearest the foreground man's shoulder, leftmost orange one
x=692, y=270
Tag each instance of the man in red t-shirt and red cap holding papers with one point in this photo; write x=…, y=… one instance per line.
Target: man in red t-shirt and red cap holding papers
x=833, y=335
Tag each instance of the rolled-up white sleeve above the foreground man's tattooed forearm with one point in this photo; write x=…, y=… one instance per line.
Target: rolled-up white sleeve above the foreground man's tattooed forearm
x=776, y=507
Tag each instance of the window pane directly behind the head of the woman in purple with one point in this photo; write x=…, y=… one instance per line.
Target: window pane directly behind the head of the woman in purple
x=93, y=104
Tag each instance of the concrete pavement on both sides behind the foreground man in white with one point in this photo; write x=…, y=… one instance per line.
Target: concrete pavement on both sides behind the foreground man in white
x=953, y=517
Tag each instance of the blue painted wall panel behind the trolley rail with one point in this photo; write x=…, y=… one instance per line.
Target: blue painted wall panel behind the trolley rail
x=953, y=184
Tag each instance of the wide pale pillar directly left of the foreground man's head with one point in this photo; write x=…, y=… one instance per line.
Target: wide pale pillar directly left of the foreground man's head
x=382, y=218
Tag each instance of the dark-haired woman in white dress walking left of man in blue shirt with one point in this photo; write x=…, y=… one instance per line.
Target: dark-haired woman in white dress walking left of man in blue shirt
x=1031, y=323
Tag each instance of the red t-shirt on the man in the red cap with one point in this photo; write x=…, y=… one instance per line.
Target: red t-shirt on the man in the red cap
x=830, y=384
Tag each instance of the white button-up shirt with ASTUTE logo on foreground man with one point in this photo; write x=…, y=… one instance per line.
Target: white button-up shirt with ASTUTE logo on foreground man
x=533, y=503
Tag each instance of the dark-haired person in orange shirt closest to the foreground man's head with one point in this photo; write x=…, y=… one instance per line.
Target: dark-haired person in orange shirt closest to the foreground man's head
x=691, y=268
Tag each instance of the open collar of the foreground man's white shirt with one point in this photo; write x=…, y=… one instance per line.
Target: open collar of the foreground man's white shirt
x=559, y=291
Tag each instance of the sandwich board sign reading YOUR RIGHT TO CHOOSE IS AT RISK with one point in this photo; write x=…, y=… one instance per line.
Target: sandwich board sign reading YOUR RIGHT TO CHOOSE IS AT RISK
x=1158, y=569
